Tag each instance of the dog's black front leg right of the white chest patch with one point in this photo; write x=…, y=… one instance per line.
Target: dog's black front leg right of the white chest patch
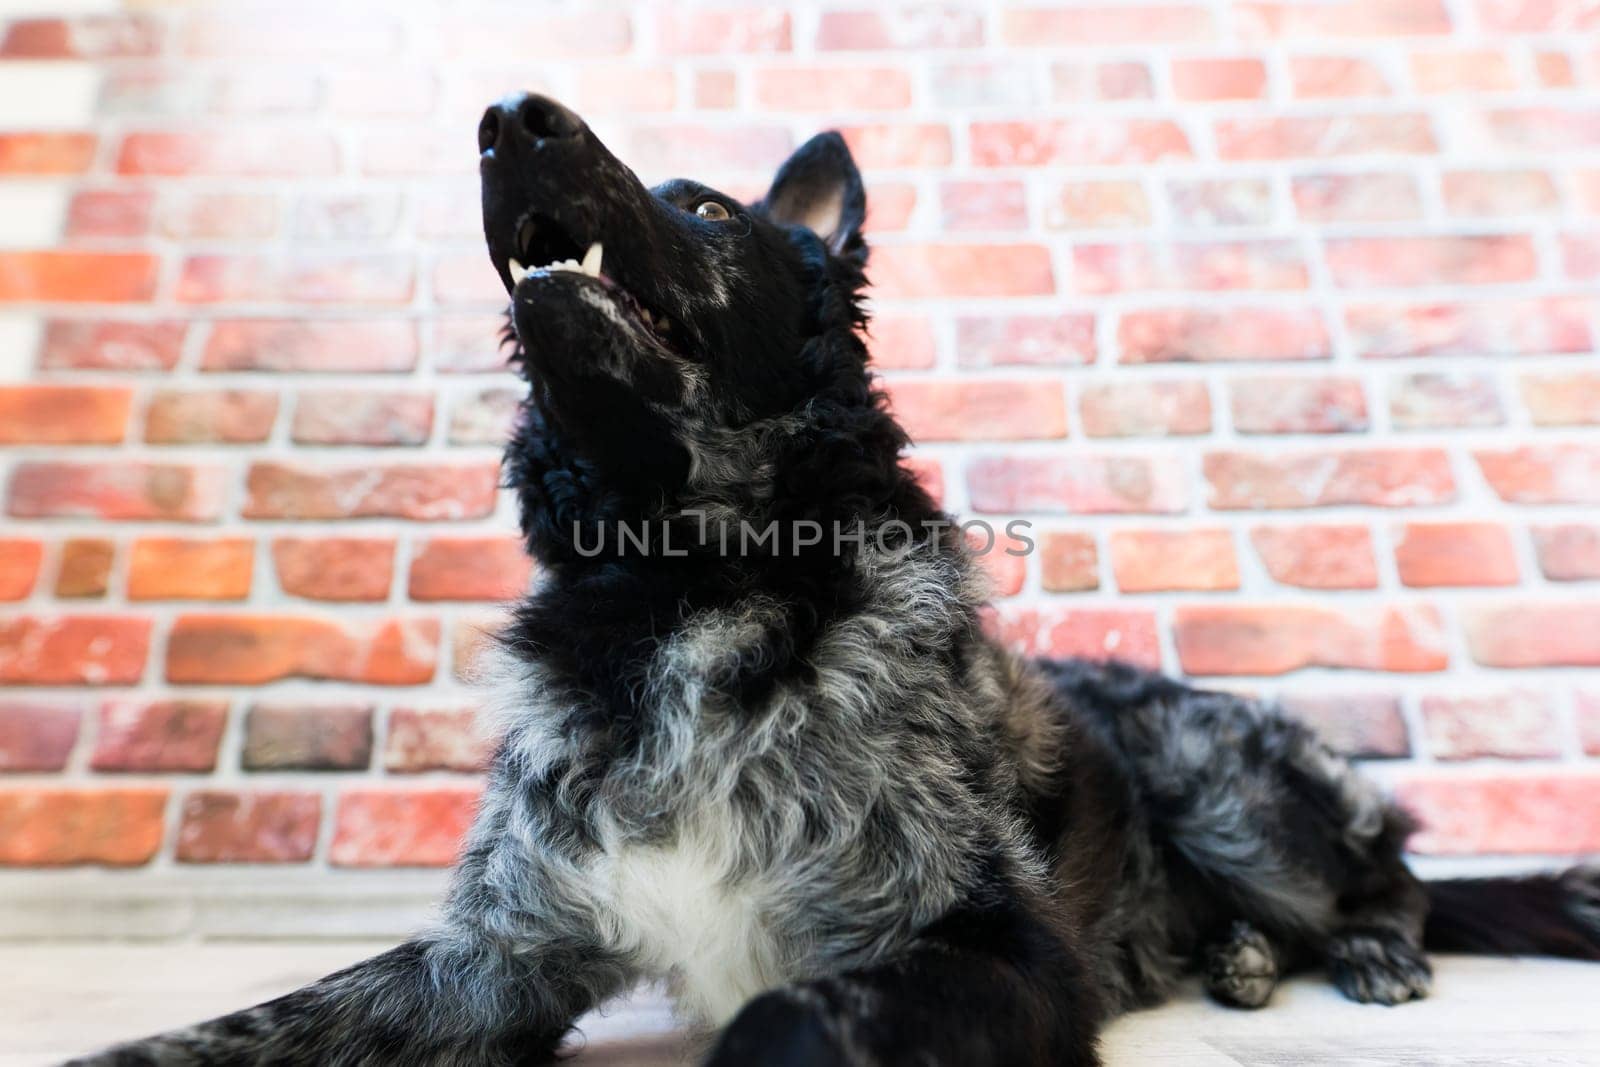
x=980, y=988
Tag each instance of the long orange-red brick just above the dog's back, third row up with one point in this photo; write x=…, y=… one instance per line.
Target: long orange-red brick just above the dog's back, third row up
x=1273, y=641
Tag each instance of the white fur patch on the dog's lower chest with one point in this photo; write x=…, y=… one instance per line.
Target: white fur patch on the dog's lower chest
x=674, y=909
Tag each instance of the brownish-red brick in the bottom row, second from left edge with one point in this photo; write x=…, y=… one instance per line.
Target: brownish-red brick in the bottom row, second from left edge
x=249, y=828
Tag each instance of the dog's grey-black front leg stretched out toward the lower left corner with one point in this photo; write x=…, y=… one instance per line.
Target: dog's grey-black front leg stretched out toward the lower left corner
x=399, y=1009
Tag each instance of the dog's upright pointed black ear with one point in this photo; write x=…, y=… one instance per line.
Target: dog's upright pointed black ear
x=820, y=188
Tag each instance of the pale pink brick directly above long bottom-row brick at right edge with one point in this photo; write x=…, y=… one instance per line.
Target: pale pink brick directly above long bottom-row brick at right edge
x=1511, y=724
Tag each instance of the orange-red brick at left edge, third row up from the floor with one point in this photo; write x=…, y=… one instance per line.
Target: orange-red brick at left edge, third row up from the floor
x=73, y=650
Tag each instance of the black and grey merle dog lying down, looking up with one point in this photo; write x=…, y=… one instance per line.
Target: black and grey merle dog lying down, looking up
x=798, y=780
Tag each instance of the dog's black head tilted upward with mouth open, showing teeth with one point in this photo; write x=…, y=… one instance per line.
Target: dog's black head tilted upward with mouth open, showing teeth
x=681, y=346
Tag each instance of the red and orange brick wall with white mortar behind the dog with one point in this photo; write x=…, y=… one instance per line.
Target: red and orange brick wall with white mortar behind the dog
x=1276, y=318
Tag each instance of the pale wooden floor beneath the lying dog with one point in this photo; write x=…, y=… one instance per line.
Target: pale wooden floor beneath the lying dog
x=57, y=1001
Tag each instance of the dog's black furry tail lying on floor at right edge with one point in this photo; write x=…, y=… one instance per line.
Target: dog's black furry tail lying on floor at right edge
x=1548, y=916
